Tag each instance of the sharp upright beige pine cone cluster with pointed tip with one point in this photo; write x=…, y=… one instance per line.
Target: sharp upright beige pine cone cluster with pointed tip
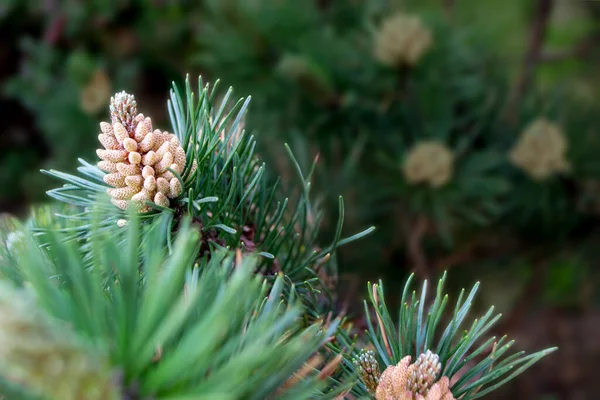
x=137, y=158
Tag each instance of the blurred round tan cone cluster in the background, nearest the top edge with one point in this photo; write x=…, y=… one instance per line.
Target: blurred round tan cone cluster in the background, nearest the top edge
x=402, y=40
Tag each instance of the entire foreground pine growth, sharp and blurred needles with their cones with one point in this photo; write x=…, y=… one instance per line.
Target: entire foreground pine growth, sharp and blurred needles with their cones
x=177, y=270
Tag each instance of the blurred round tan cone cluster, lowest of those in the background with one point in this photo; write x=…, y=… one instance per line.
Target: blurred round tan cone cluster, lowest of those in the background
x=430, y=163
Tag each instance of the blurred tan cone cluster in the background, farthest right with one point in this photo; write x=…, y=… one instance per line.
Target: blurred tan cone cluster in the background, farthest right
x=541, y=150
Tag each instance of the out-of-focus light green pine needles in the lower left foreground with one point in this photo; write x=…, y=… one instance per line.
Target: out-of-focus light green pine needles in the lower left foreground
x=143, y=323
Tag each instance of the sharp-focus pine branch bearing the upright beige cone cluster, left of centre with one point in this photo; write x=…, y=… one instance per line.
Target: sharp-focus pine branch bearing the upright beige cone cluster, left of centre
x=206, y=169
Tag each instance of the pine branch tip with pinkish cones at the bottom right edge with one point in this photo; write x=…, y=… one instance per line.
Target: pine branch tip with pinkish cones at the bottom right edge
x=465, y=363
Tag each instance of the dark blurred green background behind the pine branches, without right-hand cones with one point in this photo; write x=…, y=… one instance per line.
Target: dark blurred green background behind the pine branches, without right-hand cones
x=493, y=68
